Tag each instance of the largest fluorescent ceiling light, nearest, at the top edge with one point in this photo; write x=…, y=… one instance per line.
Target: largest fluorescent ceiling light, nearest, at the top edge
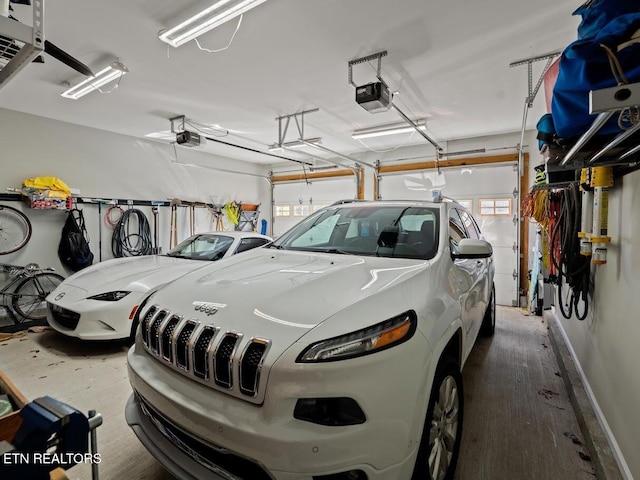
x=208, y=19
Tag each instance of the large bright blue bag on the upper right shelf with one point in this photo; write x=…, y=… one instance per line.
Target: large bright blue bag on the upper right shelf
x=591, y=64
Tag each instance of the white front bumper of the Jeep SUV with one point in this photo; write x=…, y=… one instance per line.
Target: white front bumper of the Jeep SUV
x=384, y=447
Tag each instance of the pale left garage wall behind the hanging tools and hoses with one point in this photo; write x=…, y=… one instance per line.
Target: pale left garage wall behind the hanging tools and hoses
x=106, y=165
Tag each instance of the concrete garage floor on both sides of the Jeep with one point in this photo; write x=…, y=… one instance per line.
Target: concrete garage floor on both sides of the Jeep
x=517, y=422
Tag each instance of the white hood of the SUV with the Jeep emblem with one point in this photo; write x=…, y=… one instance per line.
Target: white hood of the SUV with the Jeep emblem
x=269, y=292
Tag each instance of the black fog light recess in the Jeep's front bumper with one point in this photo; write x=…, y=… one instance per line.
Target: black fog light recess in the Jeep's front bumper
x=332, y=412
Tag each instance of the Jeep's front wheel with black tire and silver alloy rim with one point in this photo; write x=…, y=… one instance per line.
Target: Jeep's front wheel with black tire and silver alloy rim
x=440, y=443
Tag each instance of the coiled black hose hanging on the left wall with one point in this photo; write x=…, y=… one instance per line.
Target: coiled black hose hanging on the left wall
x=126, y=242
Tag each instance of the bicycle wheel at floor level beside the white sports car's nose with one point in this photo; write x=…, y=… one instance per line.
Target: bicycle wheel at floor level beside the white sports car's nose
x=28, y=298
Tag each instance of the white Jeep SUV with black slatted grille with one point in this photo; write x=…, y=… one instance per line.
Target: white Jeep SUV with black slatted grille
x=334, y=353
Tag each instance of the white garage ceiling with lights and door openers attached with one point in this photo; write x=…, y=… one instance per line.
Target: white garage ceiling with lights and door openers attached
x=448, y=59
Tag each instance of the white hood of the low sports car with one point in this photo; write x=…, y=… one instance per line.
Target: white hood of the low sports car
x=138, y=274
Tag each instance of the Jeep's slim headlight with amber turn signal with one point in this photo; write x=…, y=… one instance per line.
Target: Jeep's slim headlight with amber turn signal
x=362, y=342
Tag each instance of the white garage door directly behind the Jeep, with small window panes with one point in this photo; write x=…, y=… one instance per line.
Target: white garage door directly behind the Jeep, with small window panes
x=488, y=191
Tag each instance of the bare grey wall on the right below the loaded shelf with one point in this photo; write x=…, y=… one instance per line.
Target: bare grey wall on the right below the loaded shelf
x=605, y=344
